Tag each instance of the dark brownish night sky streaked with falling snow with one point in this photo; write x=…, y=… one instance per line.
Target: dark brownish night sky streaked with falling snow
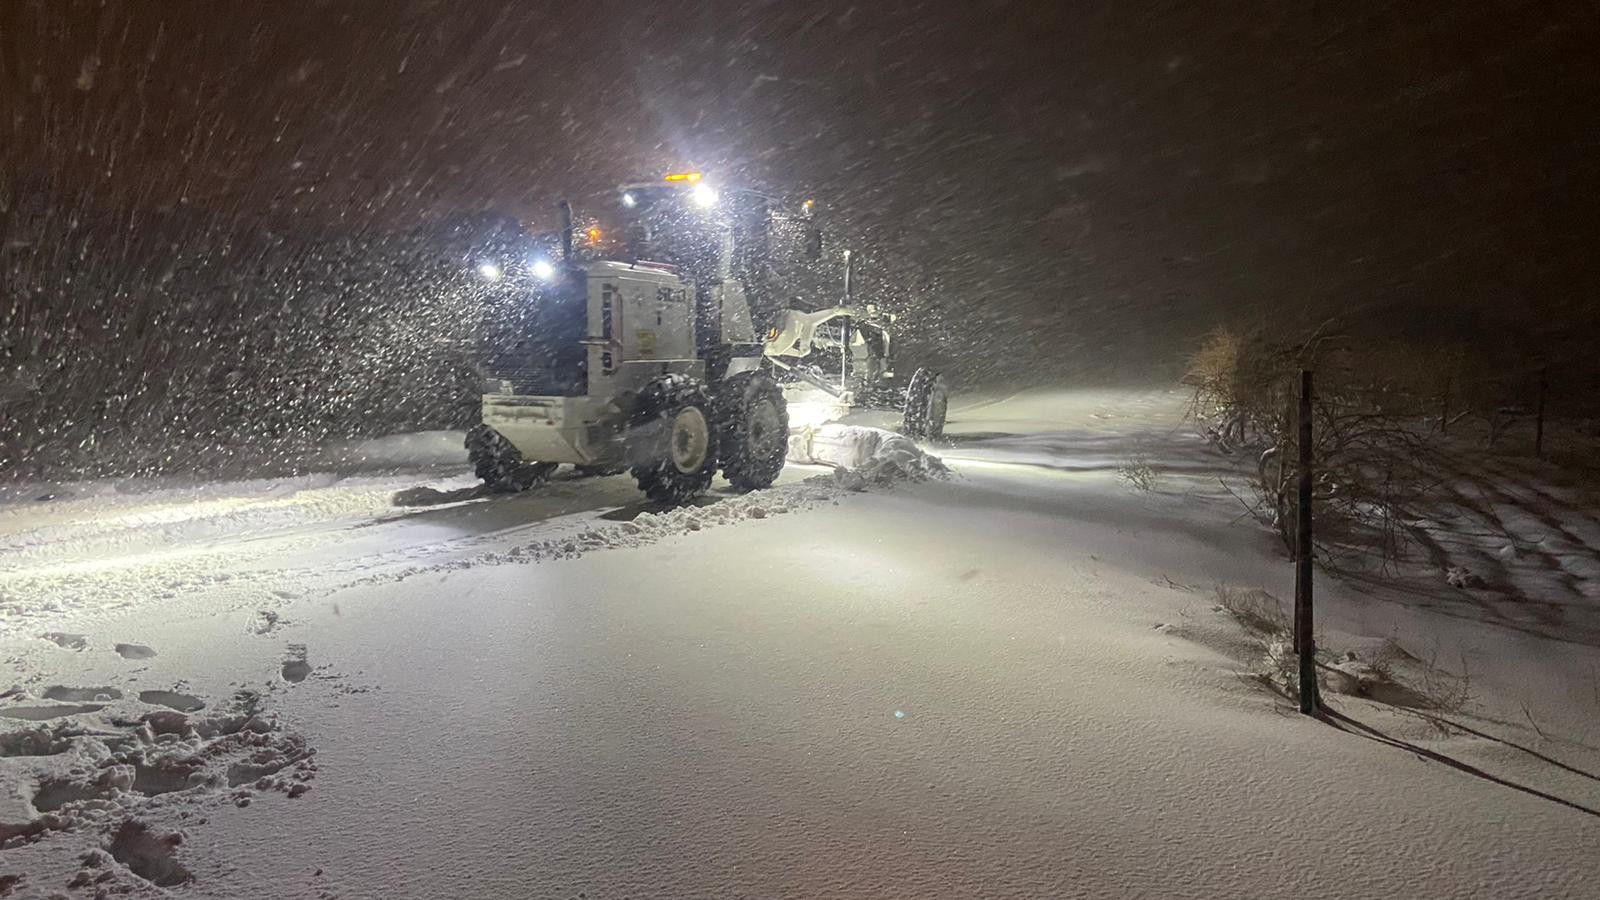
x=1090, y=183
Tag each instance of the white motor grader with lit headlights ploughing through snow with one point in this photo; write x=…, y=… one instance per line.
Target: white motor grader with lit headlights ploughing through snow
x=670, y=352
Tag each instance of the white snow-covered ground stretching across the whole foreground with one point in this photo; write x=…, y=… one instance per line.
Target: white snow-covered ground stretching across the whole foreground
x=1009, y=683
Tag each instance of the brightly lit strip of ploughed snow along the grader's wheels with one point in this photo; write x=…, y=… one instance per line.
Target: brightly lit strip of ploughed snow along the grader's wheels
x=68, y=563
